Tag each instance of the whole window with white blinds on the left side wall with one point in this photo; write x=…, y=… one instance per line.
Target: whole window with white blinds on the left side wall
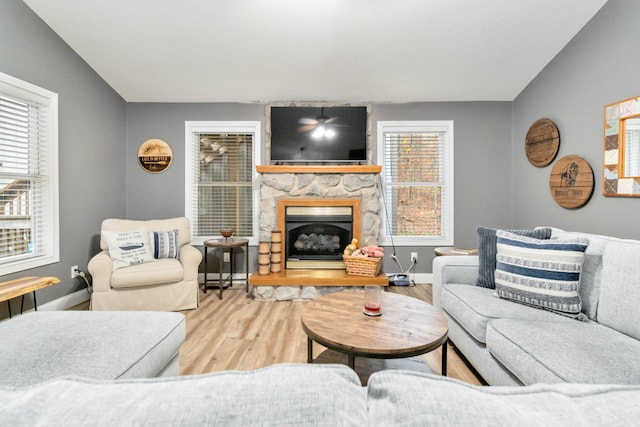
x=28, y=176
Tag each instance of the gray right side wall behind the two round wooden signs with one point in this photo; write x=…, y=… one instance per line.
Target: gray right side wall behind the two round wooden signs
x=598, y=67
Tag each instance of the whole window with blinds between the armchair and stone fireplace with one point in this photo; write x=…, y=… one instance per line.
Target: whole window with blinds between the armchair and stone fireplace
x=221, y=178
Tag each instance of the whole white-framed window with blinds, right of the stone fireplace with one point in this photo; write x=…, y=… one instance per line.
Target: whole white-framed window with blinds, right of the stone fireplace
x=417, y=160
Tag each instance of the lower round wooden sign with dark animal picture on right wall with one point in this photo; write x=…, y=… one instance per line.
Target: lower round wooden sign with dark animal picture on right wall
x=571, y=182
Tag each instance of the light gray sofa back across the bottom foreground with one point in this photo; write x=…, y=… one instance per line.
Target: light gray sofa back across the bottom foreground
x=299, y=395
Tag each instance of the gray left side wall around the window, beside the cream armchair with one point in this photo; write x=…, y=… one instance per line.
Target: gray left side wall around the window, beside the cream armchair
x=91, y=139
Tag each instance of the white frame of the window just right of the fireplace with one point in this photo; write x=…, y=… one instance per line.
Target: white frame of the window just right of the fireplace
x=418, y=126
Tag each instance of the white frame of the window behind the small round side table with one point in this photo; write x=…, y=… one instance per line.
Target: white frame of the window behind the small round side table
x=252, y=127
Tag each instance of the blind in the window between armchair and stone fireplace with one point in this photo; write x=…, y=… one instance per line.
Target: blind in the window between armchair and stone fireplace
x=223, y=188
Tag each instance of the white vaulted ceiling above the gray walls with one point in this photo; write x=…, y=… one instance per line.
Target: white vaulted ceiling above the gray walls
x=320, y=50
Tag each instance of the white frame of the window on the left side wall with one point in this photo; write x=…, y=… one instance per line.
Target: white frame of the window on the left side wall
x=49, y=251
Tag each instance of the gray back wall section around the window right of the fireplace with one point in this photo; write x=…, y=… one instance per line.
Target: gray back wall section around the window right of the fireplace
x=482, y=167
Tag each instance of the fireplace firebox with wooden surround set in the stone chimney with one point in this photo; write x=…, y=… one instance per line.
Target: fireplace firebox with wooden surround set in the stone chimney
x=316, y=231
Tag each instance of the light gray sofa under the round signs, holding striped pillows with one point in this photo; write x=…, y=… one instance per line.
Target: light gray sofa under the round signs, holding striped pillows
x=515, y=344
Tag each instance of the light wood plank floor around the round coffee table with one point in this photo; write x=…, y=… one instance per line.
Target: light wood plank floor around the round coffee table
x=240, y=333
